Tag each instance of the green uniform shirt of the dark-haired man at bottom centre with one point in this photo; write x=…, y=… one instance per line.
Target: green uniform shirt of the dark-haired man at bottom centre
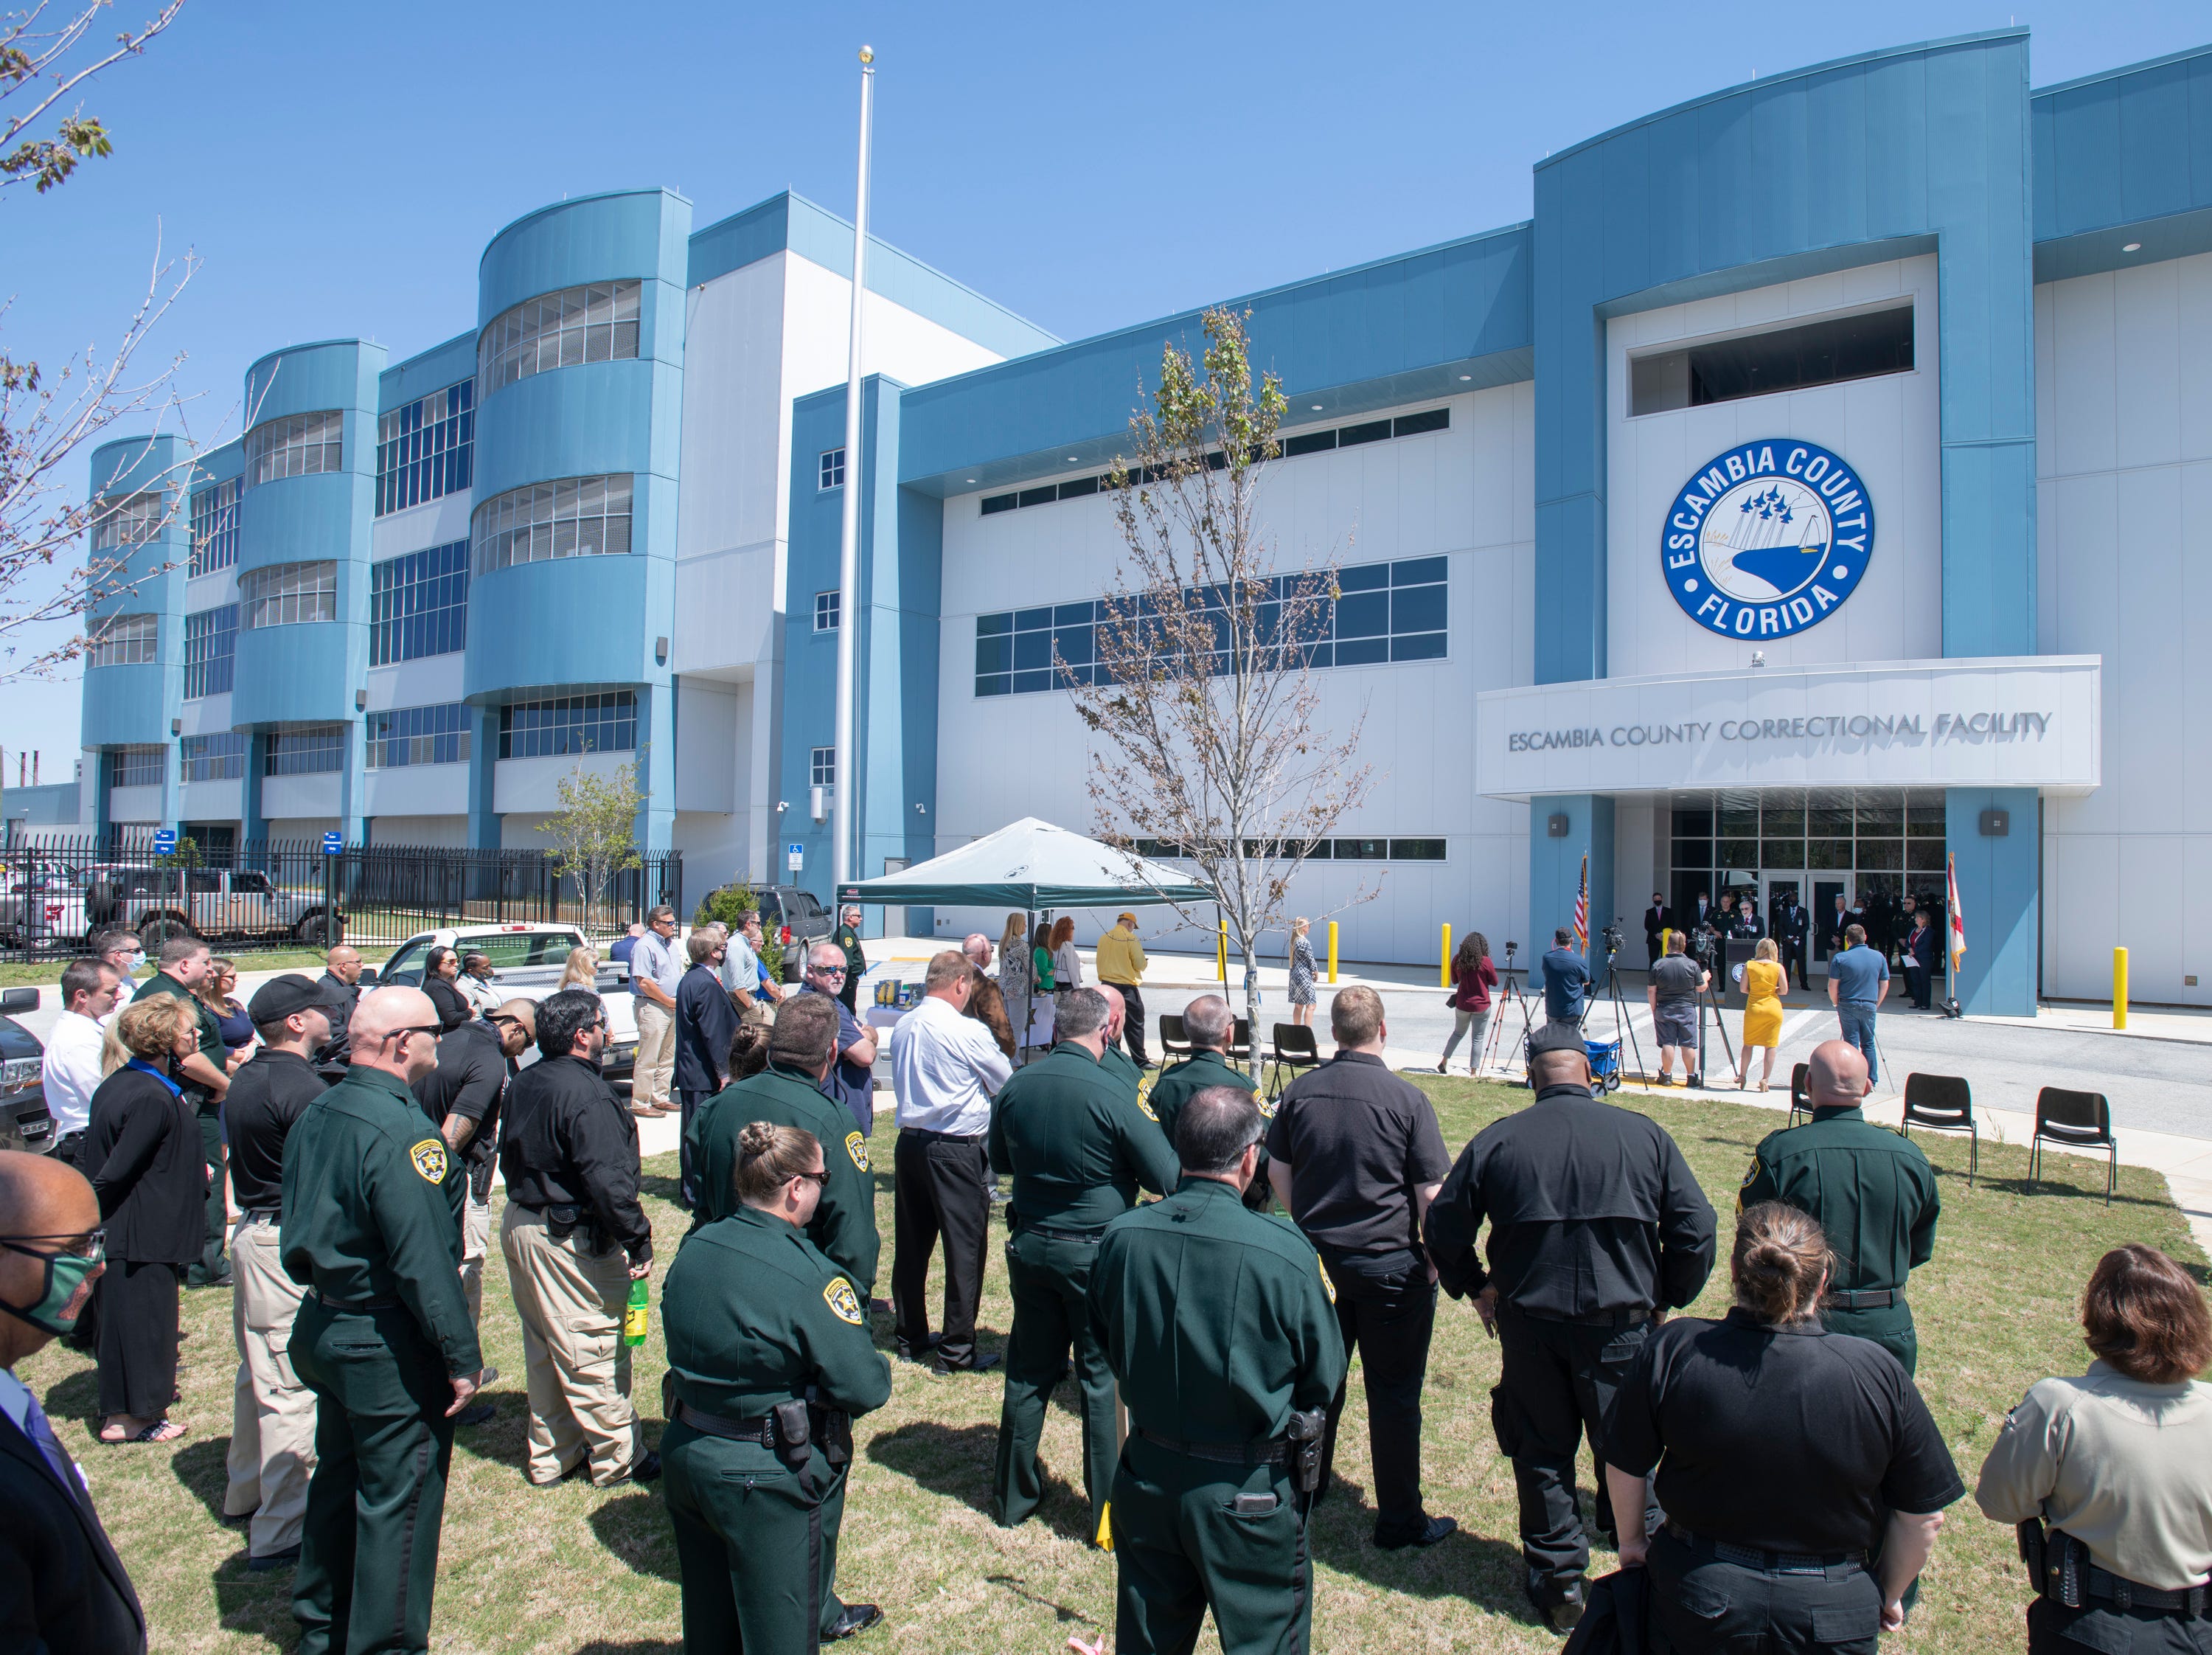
x=1215, y=1322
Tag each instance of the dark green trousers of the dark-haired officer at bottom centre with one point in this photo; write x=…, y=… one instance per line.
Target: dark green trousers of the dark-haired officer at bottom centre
x=1182, y=1548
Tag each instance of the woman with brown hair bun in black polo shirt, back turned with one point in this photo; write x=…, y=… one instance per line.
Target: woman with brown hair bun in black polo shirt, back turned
x=1799, y=1470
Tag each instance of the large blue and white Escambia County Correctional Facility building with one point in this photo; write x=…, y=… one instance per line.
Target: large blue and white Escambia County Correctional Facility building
x=1815, y=490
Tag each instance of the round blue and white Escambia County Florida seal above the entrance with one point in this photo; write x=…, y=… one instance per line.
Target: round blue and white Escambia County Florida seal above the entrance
x=1766, y=539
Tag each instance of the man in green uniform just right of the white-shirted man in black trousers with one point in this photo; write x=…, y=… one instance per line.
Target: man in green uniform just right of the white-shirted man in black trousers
x=1078, y=1149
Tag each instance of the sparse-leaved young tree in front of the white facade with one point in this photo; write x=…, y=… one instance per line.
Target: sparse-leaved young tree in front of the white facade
x=1204, y=705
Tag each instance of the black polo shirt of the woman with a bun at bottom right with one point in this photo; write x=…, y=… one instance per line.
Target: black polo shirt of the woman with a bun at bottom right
x=1791, y=1439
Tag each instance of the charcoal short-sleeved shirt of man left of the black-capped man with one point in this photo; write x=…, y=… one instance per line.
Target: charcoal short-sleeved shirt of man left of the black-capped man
x=1359, y=1141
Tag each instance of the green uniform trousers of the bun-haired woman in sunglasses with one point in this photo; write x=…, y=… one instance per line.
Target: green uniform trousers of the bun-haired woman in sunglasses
x=751, y=1543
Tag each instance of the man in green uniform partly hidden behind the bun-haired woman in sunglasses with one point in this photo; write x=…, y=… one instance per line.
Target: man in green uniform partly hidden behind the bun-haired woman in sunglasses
x=802, y=1045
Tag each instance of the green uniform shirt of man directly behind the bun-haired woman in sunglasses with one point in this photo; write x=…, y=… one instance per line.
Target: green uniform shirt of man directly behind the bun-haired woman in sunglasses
x=846, y=1220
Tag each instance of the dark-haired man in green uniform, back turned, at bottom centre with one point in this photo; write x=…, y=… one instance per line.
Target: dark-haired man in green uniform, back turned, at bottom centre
x=1220, y=1331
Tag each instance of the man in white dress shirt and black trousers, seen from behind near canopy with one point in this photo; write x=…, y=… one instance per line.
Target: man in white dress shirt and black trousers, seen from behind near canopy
x=946, y=1070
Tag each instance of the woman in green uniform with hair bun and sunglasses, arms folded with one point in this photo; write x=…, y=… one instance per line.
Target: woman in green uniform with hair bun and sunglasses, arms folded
x=769, y=1357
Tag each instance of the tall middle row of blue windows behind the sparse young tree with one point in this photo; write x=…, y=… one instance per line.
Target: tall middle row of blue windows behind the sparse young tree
x=1390, y=612
